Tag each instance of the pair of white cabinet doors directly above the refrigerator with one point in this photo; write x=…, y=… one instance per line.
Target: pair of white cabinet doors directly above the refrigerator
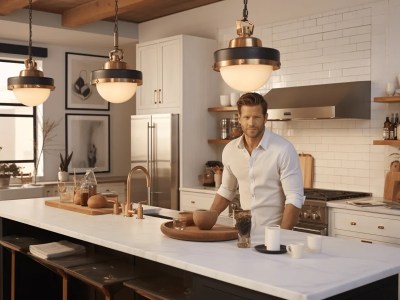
x=161, y=65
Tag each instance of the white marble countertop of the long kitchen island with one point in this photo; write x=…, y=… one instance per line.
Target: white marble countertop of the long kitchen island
x=342, y=265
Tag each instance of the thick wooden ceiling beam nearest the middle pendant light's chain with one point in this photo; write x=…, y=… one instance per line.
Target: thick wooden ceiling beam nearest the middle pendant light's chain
x=94, y=11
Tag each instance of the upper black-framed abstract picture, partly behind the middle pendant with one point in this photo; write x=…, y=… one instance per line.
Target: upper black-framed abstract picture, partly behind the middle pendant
x=79, y=93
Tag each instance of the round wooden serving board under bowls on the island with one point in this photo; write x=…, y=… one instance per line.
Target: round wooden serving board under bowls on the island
x=192, y=233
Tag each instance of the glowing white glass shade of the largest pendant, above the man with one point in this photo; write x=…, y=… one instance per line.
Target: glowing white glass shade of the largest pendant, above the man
x=246, y=78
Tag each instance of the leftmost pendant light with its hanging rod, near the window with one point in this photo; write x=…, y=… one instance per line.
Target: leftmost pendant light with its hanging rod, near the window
x=30, y=87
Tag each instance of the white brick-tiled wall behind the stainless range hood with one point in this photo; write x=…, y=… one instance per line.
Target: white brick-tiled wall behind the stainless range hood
x=360, y=37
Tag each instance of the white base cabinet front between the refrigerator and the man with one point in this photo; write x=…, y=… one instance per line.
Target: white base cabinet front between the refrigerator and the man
x=191, y=201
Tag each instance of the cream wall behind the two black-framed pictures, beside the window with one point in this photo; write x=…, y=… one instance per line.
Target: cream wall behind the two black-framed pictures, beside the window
x=54, y=109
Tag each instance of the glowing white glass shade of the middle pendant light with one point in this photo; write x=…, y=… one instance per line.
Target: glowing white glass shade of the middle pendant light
x=116, y=92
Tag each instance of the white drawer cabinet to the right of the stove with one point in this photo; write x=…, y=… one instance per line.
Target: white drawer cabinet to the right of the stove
x=364, y=226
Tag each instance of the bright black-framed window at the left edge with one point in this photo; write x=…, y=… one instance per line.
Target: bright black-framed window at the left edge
x=17, y=122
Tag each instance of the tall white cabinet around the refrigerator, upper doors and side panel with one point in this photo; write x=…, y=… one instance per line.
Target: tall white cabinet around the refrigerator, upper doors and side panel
x=181, y=66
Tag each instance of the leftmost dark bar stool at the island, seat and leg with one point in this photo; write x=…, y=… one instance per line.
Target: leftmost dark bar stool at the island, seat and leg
x=17, y=244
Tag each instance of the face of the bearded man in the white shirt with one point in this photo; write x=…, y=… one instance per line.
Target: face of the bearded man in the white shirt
x=252, y=121
